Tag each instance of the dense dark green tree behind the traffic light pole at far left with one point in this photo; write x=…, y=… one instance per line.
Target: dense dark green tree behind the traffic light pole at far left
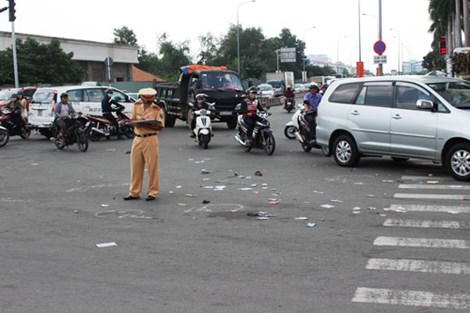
x=40, y=63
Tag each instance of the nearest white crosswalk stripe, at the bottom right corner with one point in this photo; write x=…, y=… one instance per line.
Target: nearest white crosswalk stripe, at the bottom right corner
x=412, y=298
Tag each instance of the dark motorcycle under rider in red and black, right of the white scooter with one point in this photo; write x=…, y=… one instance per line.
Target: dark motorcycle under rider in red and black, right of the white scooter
x=262, y=138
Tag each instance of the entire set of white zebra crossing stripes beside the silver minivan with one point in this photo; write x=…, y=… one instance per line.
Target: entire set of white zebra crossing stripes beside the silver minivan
x=422, y=298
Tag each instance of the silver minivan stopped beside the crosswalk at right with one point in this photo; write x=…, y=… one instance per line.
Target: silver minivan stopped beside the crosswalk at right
x=425, y=117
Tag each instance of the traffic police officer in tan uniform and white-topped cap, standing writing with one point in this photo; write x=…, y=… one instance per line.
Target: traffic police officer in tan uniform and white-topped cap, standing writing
x=148, y=120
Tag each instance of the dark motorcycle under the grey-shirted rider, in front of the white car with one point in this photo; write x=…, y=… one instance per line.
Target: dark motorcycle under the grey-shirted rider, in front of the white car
x=75, y=133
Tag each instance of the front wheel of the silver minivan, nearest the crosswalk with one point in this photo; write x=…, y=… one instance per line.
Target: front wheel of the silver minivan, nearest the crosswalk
x=458, y=161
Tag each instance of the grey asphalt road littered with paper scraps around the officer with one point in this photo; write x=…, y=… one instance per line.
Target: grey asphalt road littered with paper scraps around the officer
x=202, y=247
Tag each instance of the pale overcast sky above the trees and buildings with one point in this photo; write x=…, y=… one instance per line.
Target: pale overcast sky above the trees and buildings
x=328, y=27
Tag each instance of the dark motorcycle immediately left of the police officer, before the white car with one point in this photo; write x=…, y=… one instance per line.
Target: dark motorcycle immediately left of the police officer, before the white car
x=100, y=126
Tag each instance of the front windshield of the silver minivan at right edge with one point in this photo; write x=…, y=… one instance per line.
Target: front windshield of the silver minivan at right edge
x=456, y=93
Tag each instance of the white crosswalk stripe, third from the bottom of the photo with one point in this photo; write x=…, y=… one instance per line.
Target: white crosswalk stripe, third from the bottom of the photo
x=422, y=242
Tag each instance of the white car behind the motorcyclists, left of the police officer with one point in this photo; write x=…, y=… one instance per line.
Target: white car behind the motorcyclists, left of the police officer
x=84, y=99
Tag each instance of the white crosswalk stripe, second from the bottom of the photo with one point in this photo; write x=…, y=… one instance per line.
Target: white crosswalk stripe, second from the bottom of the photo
x=423, y=266
